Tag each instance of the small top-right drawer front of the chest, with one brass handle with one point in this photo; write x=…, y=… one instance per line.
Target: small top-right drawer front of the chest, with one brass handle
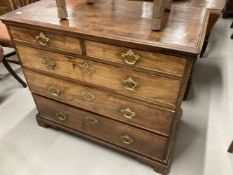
x=136, y=58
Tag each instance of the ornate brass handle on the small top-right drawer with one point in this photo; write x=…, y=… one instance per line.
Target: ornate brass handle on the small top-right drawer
x=130, y=58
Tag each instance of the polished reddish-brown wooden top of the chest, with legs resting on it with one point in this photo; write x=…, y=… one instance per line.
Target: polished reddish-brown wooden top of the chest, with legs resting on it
x=127, y=21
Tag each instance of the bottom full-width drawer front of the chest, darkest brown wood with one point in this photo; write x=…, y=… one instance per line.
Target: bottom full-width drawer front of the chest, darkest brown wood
x=123, y=135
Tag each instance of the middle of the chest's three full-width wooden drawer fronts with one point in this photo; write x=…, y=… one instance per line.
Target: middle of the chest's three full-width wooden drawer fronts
x=144, y=116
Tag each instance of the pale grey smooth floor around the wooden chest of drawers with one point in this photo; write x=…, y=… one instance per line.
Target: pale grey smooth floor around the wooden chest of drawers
x=204, y=133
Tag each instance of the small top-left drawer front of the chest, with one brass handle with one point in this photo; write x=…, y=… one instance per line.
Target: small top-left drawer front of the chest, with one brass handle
x=46, y=39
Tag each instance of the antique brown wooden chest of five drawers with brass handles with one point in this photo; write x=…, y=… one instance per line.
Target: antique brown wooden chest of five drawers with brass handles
x=104, y=75
